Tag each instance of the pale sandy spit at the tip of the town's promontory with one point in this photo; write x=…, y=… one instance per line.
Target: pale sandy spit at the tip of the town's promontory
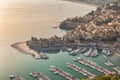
x=21, y=47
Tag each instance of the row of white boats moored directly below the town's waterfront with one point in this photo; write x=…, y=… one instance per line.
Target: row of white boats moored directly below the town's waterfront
x=91, y=52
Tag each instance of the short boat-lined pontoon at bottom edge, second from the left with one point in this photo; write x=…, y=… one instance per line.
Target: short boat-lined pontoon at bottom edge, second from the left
x=39, y=75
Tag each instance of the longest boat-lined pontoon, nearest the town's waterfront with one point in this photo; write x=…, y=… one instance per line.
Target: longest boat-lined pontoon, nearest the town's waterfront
x=93, y=65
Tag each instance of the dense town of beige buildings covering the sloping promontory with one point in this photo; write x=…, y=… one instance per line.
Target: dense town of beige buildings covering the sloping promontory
x=98, y=29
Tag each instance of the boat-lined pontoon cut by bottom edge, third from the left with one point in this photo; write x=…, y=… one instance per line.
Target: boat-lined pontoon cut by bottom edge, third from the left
x=61, y=72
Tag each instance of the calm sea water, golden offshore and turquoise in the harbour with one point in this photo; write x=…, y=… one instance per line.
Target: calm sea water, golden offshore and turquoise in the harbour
x=21, y=19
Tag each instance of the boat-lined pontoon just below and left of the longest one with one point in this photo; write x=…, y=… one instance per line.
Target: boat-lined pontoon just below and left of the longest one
x=81, y=71
